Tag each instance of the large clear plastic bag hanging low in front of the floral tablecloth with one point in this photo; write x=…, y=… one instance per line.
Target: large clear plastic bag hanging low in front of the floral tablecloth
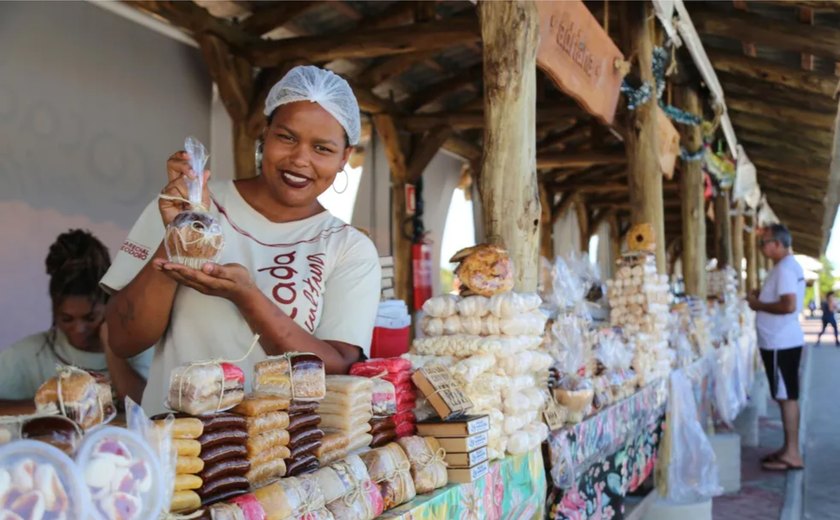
x=692, y=471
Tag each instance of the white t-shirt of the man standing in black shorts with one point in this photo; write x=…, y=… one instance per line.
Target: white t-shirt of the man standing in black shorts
x=781, y=331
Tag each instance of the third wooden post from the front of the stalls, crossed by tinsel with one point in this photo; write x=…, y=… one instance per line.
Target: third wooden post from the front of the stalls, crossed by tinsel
x=692, y=201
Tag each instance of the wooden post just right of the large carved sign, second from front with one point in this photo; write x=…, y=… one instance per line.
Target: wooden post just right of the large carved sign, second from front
x=641, y=139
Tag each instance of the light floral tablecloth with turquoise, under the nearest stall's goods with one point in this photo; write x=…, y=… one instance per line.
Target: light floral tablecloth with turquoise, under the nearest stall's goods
x=514, y=488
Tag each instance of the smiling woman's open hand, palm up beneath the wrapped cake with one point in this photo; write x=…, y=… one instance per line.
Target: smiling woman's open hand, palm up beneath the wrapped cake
x=229, y=281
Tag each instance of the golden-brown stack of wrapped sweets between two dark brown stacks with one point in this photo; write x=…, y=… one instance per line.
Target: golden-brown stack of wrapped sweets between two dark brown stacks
x=266, y=422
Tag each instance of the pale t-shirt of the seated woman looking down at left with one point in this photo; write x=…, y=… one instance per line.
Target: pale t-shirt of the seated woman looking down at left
x=27, y=364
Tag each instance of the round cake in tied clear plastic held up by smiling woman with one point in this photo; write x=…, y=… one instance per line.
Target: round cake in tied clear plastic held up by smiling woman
x=194, y=237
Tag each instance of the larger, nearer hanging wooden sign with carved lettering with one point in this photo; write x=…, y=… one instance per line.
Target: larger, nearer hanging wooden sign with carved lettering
x=579, y=56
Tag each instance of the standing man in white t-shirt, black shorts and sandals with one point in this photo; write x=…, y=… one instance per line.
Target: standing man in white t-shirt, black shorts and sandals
x=780, y=338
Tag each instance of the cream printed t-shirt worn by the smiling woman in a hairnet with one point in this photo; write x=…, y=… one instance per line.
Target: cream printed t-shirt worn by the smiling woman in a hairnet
x=320, y=271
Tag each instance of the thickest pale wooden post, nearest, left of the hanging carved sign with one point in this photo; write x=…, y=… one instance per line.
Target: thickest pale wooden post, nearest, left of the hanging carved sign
x=509, y=193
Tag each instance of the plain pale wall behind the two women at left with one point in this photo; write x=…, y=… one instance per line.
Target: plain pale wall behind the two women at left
x=91, y=105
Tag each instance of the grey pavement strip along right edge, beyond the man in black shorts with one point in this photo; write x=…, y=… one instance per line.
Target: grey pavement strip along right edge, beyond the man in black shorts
x=821, y=487
